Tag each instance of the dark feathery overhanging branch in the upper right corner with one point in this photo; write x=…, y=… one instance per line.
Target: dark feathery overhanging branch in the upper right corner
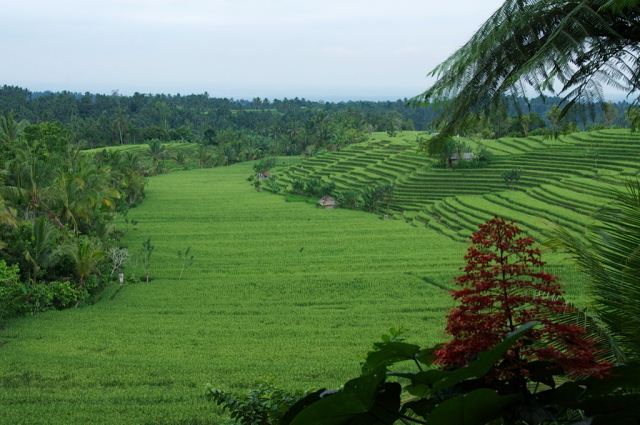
x=564, y=47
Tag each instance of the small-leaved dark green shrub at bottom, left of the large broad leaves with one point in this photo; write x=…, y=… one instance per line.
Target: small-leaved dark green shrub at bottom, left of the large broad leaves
x=265, y=404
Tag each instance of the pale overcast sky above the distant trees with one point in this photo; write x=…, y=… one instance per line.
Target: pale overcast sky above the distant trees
x=328, y=49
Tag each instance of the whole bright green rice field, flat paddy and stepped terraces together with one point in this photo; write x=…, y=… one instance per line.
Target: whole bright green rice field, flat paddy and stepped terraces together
x=287, y=289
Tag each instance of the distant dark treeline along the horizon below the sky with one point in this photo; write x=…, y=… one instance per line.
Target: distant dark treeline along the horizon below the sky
x=287, y=126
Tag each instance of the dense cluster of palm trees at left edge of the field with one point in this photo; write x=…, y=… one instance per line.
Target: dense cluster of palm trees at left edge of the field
x=56, y=209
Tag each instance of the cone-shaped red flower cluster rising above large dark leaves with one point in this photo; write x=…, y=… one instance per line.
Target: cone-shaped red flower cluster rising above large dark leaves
x=504, y=286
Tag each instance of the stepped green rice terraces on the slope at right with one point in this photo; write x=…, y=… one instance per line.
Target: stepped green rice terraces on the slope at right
x=562, y=181
